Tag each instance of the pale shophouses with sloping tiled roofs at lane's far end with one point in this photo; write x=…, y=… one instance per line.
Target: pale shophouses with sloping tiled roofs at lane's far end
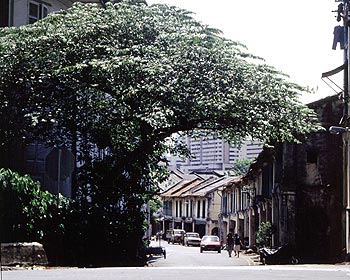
x=194, y=204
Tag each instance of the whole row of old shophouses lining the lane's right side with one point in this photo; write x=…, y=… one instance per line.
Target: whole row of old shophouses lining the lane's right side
x=298, y=188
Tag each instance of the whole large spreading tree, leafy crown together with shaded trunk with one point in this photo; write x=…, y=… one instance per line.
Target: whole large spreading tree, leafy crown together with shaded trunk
x=125, y=78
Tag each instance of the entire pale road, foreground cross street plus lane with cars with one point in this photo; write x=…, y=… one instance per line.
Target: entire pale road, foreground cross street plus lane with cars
x=187, y=263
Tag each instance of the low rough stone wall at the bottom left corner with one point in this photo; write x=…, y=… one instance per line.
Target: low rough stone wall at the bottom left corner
x=23, y=254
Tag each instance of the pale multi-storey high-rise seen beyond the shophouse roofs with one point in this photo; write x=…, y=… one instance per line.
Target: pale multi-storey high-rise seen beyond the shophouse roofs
x=210, y=153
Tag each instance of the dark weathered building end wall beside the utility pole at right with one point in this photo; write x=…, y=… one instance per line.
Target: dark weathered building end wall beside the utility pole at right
x=309, y=207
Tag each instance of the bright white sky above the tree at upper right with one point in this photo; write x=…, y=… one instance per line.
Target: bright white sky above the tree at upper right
x=295, y=36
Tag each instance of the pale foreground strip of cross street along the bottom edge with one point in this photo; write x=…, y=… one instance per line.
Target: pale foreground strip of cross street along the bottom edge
x=298, y=272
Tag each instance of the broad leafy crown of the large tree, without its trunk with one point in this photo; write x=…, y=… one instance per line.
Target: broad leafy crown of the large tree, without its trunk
x=132, y=66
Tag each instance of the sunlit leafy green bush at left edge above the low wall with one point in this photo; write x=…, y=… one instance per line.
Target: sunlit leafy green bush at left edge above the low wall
x=27, y=212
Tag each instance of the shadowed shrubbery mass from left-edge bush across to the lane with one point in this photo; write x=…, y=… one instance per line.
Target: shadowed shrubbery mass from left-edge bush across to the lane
x=88, y=231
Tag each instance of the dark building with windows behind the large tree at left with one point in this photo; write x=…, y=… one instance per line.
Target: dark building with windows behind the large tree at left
x=32, y=158
